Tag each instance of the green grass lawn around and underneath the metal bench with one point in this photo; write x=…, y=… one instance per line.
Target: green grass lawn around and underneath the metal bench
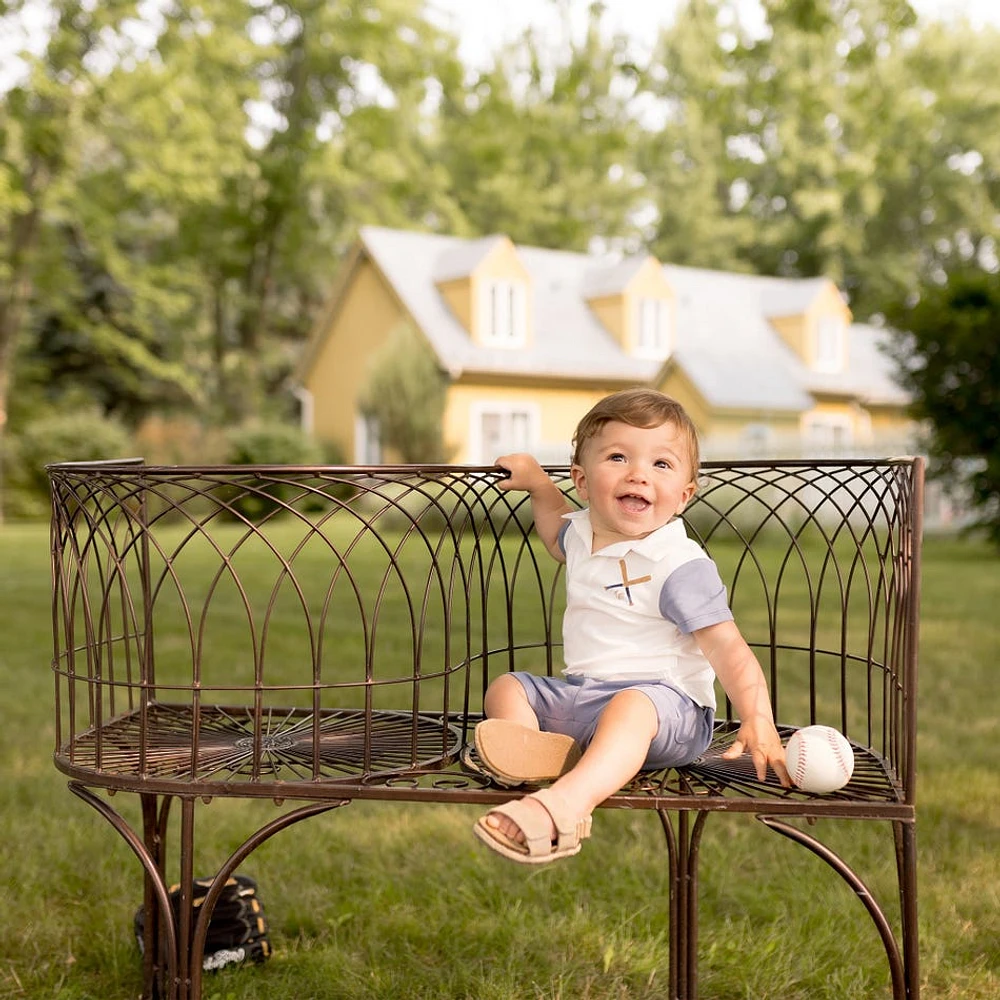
x=385, y=901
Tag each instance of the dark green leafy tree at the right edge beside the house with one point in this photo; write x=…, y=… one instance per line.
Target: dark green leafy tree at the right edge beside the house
x=948, y=360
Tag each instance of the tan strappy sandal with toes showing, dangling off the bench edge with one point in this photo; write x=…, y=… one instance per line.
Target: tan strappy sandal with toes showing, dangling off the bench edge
x=538, y=848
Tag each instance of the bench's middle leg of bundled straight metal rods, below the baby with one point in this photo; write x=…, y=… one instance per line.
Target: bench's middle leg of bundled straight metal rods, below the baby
x=683, y=844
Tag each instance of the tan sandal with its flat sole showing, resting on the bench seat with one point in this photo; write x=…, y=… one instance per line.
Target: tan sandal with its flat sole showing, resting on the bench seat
x=516, y=754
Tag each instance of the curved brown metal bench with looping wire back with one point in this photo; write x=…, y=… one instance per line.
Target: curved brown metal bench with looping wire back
x=317, y=635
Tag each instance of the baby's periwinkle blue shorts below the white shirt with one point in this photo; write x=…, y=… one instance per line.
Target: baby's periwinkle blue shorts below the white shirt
x=572, y=705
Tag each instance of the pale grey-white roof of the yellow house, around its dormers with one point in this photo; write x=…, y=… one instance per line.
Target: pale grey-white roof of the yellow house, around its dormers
x=724, y=341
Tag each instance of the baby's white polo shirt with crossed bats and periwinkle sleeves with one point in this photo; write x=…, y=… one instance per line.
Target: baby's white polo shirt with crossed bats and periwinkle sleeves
x=631, y=607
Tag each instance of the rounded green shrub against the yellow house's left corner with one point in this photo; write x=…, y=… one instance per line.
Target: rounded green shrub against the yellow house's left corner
x=405, y=392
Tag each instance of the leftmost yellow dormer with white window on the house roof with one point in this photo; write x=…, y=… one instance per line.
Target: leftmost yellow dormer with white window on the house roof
x=488, y=289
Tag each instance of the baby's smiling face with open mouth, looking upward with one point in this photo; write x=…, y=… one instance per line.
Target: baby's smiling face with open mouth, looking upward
x=634, y=479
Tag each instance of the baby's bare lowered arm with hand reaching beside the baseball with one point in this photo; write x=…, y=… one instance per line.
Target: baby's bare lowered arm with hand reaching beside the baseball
x=743, y=681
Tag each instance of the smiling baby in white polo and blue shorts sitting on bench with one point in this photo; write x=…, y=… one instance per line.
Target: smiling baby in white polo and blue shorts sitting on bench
x=647, y=629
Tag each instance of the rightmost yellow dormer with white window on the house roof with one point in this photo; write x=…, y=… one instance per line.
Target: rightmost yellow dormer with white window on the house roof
x=812, y=318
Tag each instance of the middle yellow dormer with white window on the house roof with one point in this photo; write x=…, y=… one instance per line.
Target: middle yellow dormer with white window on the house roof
x=634, y=302
